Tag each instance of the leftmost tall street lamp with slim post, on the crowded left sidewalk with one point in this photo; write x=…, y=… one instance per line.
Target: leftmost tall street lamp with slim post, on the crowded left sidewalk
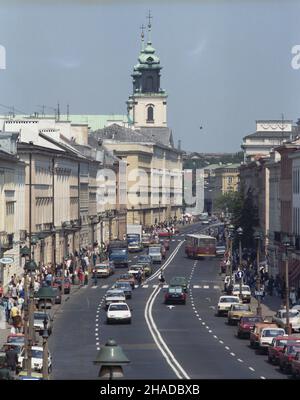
x=29, y=268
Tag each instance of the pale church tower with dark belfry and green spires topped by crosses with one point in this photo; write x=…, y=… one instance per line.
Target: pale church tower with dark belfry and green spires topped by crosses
x=147, y=106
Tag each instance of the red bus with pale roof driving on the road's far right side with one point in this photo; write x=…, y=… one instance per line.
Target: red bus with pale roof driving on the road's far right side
x=200, y=246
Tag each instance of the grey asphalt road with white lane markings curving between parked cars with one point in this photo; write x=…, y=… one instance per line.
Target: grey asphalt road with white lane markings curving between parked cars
x=162, y=342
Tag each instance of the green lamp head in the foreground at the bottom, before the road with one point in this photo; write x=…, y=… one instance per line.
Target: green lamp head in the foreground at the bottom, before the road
x=111, y=357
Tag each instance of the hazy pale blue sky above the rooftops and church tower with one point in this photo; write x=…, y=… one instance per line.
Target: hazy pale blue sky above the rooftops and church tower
x=225, y=63
